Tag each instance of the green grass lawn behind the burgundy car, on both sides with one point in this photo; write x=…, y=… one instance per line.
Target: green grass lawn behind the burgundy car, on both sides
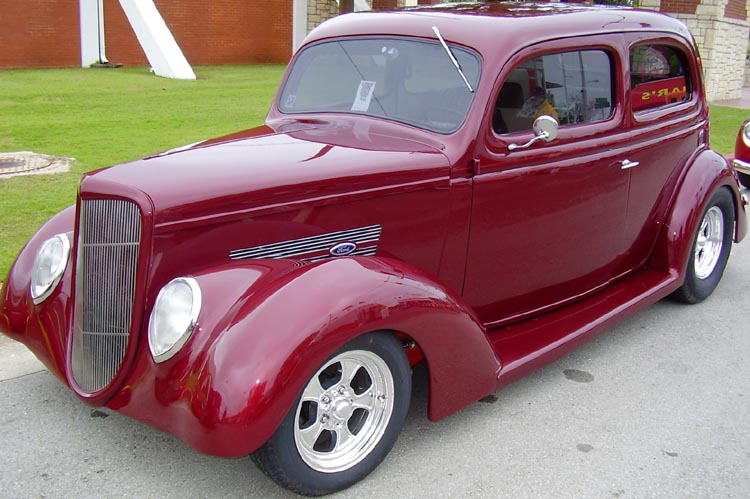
x=108, y=116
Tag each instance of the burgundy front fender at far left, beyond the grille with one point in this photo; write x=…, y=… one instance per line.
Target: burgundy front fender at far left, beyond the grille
x=42, y=328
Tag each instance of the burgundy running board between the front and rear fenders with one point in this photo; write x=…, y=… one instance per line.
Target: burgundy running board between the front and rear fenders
x=529, y=345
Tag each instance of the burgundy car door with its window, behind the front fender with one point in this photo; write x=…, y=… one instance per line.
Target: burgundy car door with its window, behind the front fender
x=547, y=219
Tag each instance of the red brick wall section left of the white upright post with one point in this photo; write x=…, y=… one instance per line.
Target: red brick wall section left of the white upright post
x=39, y=33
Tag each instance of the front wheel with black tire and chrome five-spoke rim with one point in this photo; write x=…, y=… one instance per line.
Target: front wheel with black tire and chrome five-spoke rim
x=308, y=464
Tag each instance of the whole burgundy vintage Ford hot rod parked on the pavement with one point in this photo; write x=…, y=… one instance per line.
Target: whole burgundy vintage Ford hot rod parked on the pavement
x=480, y=187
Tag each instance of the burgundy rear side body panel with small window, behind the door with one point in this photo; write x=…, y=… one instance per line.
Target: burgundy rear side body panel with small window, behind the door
x=665, y=119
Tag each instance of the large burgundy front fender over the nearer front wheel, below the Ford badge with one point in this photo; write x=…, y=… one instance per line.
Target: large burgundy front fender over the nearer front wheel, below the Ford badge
x=255, y=350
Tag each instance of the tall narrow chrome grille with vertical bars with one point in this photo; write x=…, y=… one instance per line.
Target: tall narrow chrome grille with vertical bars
x=108, y=246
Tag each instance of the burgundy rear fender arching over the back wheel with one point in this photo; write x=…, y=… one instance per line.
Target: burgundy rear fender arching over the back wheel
x=707, y=172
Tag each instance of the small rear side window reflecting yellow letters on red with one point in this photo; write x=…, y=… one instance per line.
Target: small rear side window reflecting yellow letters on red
x=658, y=76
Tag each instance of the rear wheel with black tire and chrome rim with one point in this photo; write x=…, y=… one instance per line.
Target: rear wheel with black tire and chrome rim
x=707, y=259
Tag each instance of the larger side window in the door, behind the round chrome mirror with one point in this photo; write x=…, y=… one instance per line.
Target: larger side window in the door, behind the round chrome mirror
x=572, y=87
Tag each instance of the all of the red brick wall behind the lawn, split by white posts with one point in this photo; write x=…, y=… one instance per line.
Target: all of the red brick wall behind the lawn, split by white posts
x=46, y=33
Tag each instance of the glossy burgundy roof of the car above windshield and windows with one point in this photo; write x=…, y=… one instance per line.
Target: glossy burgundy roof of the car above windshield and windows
x=483, y=24
